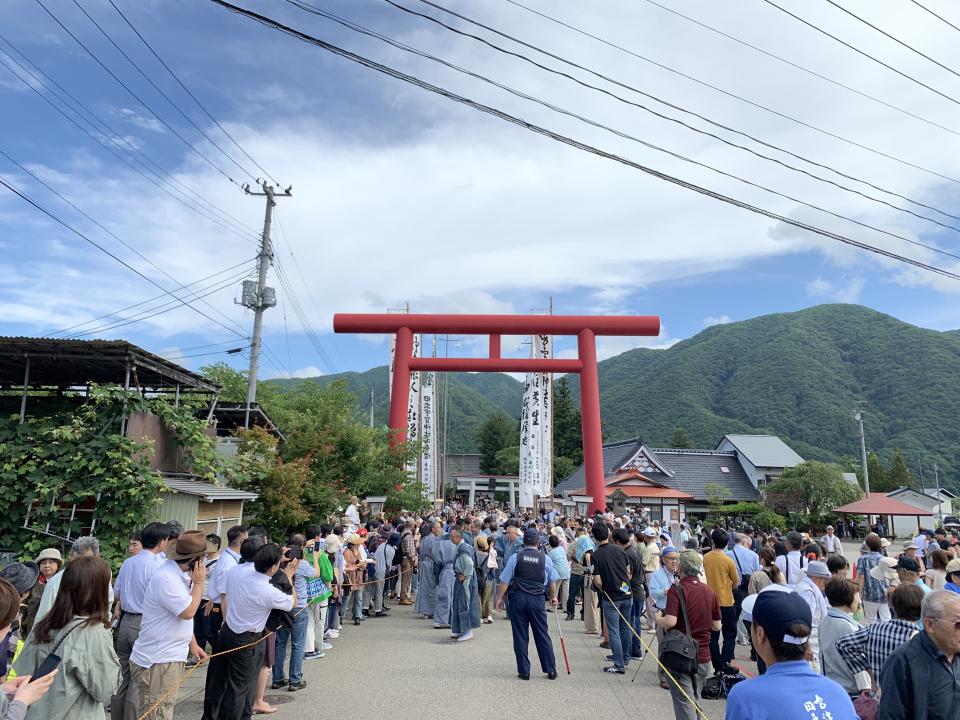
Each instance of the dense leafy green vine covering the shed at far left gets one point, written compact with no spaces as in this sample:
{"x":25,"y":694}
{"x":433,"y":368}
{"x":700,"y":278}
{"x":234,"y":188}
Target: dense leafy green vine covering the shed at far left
{"x":52,"y":462}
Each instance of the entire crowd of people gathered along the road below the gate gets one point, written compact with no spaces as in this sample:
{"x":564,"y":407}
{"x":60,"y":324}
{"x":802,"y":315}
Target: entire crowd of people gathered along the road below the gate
{"x":879,"y":639}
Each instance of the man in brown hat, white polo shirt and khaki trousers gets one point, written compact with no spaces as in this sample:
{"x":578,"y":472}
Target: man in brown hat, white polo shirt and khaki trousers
{"x":166,"y":636}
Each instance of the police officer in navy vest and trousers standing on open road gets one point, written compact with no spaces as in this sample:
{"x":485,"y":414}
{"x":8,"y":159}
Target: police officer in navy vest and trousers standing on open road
{"x":526,"y":577}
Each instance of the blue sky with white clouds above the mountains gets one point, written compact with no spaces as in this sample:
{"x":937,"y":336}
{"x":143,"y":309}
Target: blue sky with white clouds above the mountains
{"x":402,"y":196}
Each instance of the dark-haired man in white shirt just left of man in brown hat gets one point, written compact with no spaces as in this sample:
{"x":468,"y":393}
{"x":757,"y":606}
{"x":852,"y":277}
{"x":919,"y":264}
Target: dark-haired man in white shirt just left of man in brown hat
{"x":132,"y":581}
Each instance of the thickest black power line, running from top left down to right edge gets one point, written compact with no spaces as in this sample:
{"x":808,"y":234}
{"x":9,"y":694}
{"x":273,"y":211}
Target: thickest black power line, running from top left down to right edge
{"x":506,"y":117}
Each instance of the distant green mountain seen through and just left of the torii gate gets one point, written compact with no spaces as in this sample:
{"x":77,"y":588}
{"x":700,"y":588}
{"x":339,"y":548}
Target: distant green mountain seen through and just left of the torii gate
{"x":472,"y":396}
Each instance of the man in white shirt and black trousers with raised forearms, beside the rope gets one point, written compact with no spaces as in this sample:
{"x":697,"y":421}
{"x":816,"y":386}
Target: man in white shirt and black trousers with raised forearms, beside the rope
{"x":247,"y":600}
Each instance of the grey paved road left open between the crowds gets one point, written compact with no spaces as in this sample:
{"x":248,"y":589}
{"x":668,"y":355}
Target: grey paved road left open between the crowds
{"x":402,"y":666}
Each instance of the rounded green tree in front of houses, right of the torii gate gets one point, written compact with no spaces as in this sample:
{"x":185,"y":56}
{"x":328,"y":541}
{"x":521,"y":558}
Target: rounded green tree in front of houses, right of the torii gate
{"x":809,"y":492}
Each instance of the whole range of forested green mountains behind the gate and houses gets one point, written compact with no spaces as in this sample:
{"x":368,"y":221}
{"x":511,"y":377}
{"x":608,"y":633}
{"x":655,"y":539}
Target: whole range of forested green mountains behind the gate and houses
{"x":797,"y":375}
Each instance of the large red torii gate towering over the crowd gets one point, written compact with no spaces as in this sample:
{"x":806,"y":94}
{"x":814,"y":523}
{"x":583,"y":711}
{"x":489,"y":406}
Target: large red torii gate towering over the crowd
{"x":585,"y":327}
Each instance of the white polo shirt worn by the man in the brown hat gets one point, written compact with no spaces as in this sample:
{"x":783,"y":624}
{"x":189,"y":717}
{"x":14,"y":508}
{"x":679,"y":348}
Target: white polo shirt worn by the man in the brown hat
{"x":164,"y":637}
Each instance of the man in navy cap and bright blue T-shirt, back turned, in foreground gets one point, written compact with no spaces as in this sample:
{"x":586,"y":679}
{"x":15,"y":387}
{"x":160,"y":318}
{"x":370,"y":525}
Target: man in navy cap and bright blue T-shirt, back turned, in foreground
{"x":790,"y":689}
